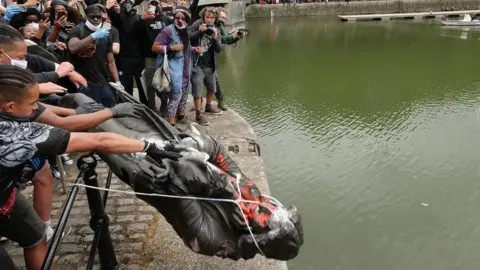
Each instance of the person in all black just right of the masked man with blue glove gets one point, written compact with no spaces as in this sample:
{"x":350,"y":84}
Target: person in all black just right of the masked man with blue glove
{"x":129,"y":61}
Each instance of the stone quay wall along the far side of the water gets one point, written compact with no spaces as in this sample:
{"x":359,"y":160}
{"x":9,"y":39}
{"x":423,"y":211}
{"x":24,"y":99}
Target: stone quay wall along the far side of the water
{"x":359,"y":7}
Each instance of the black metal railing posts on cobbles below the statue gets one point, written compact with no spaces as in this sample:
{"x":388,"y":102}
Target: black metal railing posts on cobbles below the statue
{"x":99,"y":221}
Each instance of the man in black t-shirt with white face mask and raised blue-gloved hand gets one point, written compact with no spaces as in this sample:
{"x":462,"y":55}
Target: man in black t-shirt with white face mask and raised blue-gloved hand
{"x":91,"y":46}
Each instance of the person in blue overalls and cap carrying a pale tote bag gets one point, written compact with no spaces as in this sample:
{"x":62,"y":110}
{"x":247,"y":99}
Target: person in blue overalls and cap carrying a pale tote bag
{"x":175,"y":42}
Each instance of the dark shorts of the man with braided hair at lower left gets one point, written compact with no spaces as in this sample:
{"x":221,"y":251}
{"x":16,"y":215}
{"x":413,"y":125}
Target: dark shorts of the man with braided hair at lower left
{"x":24,"y":226}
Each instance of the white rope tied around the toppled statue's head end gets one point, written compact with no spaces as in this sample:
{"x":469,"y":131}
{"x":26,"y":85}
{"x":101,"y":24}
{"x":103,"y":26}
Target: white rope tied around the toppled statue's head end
{"x":237,"y":201}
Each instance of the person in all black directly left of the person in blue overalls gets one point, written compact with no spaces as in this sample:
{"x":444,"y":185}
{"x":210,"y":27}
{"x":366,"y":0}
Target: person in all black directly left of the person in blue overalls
{"x":146,"y":30}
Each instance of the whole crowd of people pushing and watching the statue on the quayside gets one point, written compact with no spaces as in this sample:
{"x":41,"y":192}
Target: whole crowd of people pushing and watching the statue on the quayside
{"x":51,"y":48}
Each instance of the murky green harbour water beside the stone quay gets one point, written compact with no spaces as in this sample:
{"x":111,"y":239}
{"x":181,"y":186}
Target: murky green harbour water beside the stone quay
{"x":372,"y":130}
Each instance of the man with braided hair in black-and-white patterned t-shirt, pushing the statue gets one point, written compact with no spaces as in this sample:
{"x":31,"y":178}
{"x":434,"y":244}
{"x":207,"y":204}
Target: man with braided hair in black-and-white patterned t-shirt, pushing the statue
{"x":22,"y":140}
